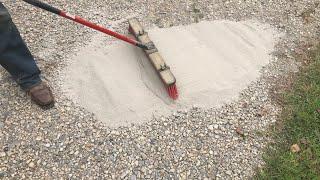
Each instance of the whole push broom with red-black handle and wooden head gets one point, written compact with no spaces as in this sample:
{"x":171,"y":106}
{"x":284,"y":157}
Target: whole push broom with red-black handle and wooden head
{"x":141,"y":40}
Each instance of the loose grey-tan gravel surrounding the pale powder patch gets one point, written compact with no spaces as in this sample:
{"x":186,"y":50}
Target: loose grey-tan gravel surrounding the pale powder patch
{"x":218,"y":143}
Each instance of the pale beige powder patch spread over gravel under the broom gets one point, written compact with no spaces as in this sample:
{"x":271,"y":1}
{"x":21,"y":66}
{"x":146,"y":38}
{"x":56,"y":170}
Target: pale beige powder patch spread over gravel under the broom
{"x":212,"y":62}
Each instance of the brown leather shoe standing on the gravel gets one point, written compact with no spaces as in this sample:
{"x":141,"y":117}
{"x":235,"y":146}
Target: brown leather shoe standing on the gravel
{"x":42,"y":95}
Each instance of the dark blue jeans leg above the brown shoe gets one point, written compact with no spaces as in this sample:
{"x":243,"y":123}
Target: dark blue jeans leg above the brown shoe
{"x":15,"y":57}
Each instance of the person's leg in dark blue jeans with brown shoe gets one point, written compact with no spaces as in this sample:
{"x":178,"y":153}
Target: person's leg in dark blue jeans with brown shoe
{"x":16,"y":58}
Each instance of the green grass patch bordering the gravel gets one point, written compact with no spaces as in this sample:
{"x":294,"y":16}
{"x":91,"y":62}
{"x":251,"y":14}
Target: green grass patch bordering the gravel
{"x":300,"y":125}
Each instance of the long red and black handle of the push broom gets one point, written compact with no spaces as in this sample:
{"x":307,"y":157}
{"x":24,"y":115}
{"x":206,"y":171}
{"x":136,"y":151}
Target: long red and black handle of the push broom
{"x":82,"y":21}
